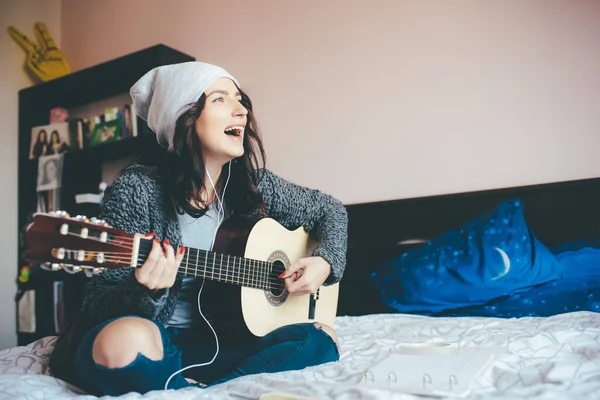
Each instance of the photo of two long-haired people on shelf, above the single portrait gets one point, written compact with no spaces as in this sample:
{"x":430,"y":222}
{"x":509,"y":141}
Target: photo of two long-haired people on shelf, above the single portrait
{"x":50,"y":139}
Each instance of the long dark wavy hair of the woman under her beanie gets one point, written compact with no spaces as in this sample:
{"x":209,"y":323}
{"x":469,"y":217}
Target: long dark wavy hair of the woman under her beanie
{"x":183,"y":172}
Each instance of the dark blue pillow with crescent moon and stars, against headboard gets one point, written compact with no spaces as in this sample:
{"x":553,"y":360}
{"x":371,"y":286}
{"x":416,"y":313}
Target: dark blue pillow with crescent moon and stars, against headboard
{"x":493,"y":255}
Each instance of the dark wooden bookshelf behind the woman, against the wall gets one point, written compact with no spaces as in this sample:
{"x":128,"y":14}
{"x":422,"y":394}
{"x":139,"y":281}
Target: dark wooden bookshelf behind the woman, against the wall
{"x":82,"y":169}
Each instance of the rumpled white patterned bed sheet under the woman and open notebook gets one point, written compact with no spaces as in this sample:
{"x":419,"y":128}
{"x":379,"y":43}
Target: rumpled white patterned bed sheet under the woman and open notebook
{"x":547,"y":358}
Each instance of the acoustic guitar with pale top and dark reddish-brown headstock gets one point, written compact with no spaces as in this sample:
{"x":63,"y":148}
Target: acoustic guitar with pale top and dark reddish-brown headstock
{"x":242,"y":271}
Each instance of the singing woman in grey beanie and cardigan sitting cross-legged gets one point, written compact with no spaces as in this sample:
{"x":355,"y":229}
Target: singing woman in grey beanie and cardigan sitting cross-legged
{"x":138,"y":329}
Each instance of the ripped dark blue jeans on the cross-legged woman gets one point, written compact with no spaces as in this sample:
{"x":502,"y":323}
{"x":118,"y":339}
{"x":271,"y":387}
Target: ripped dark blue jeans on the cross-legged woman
{"x":287,"y":348}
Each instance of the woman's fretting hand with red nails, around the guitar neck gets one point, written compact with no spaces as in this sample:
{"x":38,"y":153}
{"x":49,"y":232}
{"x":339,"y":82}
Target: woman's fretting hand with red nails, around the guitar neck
{"x":161,"y":266}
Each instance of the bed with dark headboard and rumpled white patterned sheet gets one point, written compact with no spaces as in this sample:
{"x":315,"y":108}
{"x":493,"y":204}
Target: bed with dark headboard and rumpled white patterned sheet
{"x":550,"y":354}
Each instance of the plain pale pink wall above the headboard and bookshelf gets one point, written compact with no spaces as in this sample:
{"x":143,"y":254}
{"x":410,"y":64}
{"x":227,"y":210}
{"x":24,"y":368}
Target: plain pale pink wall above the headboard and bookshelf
{"x":375,"y":100}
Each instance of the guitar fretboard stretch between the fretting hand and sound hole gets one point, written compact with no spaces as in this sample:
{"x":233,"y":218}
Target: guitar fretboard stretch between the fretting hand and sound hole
{"x":227,"y":268}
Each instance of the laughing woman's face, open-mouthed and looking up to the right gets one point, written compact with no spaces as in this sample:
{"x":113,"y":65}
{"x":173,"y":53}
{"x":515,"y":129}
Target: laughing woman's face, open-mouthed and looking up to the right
{"x":221,"y":124}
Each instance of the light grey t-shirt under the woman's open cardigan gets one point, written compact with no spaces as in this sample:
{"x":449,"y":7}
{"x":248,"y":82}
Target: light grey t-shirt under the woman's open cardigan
{"x":197,"y":233}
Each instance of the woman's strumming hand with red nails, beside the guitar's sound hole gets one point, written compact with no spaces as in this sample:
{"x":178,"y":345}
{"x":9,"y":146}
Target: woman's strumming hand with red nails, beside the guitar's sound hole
{"x":306,"y":275}
